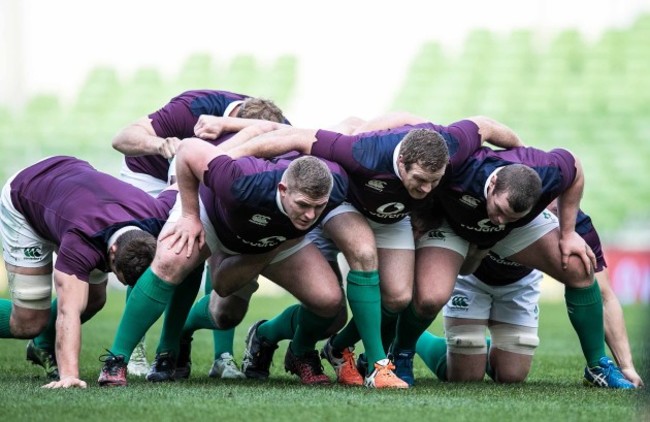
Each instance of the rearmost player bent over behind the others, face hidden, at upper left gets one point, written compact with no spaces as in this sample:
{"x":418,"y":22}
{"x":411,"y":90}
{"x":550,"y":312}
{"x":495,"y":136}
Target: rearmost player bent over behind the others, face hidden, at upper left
{"x":149,"y":146}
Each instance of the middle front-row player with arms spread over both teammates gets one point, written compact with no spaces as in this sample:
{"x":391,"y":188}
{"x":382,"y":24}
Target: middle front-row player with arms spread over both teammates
{"x":389,"y":170}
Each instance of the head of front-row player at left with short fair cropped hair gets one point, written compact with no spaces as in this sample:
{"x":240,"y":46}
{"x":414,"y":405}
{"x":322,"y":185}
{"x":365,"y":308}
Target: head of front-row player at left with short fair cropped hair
{"x":304,"y":190}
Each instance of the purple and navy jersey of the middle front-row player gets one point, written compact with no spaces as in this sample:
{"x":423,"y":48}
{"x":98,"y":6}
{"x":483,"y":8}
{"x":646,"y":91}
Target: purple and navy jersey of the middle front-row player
{"x":370,"y":160}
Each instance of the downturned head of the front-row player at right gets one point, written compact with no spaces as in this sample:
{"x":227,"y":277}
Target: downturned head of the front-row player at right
{"x":512,"y":193}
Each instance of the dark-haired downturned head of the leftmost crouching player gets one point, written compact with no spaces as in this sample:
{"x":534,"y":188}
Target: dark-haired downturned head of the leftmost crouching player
{"x":131,"y":254}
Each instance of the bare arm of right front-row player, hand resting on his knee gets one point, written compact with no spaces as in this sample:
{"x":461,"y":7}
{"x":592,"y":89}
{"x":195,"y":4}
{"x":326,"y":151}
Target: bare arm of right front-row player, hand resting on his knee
{"x":568,"y":204}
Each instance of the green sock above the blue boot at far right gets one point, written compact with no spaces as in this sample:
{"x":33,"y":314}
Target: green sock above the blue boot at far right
{"x":585,"y":308}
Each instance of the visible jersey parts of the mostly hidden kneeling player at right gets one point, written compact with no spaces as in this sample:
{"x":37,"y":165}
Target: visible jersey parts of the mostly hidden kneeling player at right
{"x":497,"y":271}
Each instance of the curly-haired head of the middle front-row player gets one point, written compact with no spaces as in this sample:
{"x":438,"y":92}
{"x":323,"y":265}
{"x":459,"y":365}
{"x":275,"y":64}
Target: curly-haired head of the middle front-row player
{"x":422,"y":161}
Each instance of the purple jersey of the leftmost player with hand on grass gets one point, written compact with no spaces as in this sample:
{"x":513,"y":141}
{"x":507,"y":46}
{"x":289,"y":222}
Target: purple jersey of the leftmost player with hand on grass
{"x":71,"y":204}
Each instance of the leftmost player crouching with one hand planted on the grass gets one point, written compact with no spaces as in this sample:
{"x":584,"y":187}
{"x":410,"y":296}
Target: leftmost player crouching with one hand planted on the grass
{"x":96,"y":224}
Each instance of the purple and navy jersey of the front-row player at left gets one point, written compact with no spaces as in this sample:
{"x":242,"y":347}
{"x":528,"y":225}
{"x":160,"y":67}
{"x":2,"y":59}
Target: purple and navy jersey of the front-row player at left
{"x":242,"y":201}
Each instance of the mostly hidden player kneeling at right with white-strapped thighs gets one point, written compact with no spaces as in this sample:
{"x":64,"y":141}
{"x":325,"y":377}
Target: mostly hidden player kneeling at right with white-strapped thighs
{"x":503,"y":296}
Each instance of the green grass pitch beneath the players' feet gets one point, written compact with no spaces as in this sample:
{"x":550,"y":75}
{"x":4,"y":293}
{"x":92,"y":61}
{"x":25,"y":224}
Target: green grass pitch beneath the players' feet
{"x":553,"y":392}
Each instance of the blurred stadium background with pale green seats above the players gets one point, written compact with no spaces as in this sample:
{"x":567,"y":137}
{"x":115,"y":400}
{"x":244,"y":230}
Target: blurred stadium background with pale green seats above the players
{"x":572,"y":74}
